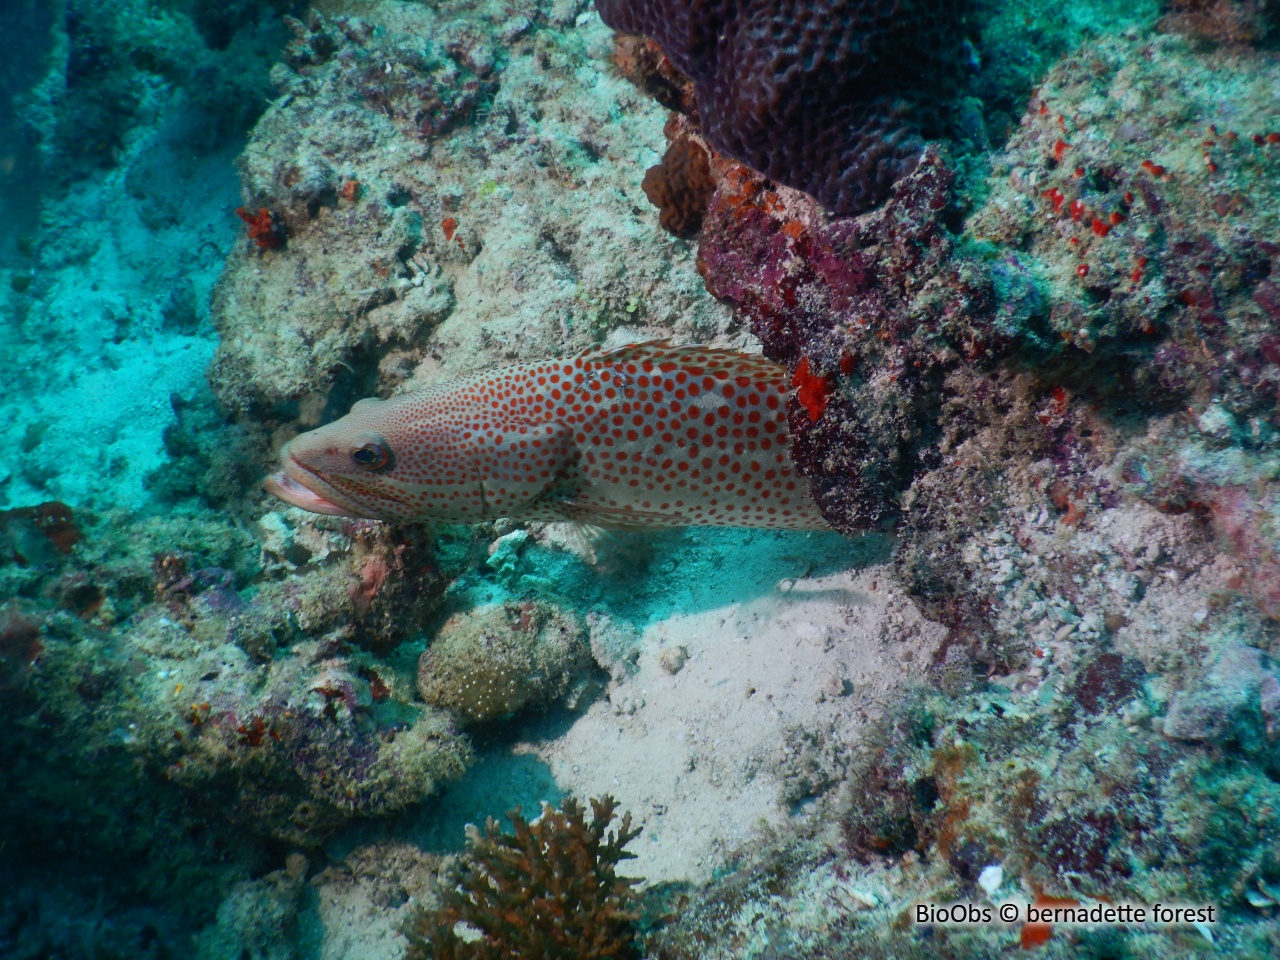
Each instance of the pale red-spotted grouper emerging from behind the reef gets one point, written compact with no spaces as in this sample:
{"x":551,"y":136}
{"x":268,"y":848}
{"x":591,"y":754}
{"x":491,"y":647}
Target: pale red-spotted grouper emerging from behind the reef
{"x":650,"y":435}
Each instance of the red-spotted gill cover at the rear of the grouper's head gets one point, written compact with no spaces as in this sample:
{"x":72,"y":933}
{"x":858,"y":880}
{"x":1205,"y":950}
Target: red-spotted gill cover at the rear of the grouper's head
{"x":516,"y":464}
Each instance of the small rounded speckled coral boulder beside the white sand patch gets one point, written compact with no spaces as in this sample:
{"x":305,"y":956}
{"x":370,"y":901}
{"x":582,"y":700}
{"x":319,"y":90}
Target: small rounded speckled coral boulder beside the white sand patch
{"x":495,"y":661}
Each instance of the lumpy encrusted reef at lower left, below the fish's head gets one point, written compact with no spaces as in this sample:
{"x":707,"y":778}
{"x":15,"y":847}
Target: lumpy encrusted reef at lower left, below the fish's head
{"x":258,"y":702}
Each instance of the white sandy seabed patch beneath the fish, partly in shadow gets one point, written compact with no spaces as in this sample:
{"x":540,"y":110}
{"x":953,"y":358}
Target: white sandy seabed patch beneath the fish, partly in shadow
{"x":744,"y":668}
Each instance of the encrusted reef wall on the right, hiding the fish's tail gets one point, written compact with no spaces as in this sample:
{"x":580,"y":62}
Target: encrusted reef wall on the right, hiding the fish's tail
{"x":1081,"y":376}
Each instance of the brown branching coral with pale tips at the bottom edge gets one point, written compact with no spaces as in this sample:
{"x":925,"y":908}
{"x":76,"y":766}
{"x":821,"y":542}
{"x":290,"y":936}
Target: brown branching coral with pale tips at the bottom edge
{"x":550,"y":890}
